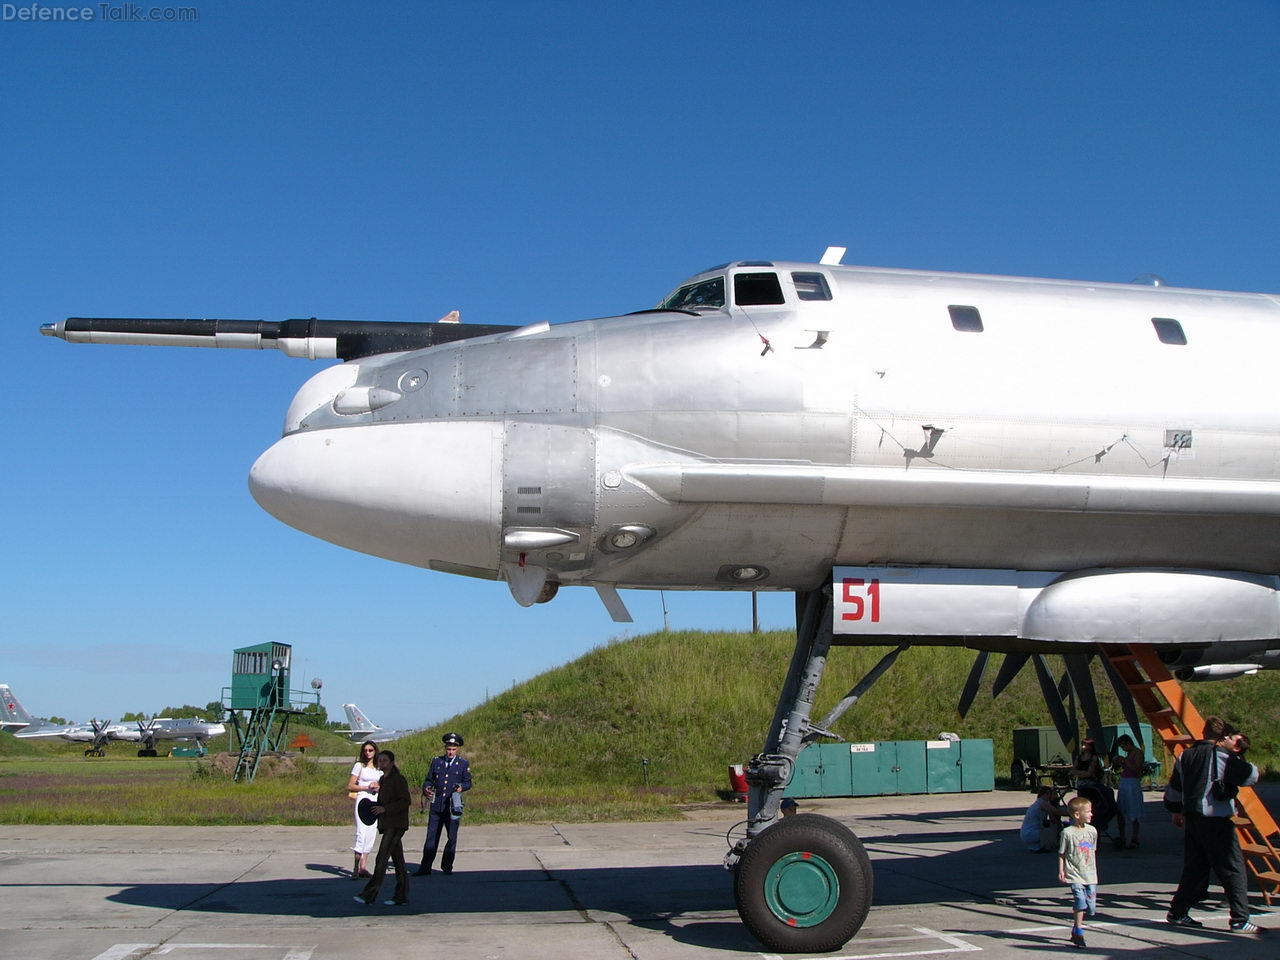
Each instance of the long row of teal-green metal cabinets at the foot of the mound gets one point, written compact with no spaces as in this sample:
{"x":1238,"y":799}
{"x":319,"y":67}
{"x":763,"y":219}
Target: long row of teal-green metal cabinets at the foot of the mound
{"x":889,"y":767}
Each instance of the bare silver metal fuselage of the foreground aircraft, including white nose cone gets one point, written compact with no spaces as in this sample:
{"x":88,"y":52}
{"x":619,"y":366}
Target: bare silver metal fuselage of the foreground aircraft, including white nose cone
{"x":1063,"y":436}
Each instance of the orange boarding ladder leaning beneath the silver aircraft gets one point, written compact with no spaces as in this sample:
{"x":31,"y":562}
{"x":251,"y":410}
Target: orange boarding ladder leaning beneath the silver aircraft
{"x":1180,"y":725}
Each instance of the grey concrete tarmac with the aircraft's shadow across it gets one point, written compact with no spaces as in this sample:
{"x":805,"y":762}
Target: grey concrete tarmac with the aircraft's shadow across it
{"x":952,"y":880}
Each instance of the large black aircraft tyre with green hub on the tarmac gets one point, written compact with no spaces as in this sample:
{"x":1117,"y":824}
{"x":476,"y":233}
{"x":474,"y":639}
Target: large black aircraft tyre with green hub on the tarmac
{"x":804,"y":885}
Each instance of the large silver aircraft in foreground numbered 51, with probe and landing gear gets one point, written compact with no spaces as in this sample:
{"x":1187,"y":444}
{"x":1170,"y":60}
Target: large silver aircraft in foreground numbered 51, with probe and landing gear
{"x":1022,"y":467}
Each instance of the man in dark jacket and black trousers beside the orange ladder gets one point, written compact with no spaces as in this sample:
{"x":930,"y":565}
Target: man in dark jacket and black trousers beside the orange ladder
{"x":1203,"y":794}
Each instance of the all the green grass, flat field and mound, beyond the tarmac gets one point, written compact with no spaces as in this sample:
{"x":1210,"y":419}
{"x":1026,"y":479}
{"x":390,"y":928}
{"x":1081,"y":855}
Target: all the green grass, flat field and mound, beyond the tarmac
{"x":568,"y":746}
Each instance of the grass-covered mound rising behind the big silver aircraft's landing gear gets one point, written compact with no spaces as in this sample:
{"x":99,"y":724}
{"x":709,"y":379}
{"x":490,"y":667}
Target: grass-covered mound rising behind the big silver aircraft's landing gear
{"x":570,"y":743}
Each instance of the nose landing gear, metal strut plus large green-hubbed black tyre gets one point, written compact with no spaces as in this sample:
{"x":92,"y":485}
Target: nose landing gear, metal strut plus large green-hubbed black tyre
{"x":803,"y":884}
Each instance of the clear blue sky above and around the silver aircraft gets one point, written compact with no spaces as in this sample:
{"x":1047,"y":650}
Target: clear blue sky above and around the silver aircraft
{"x":519,"y":163}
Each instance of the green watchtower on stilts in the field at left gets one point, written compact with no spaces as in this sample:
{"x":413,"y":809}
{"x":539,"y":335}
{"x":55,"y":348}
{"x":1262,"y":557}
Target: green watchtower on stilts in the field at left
{"x":260,"y":689}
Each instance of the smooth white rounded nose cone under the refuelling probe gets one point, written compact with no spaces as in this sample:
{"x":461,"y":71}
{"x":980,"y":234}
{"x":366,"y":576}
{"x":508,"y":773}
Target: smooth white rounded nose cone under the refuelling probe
{"x":414,"y":493}
